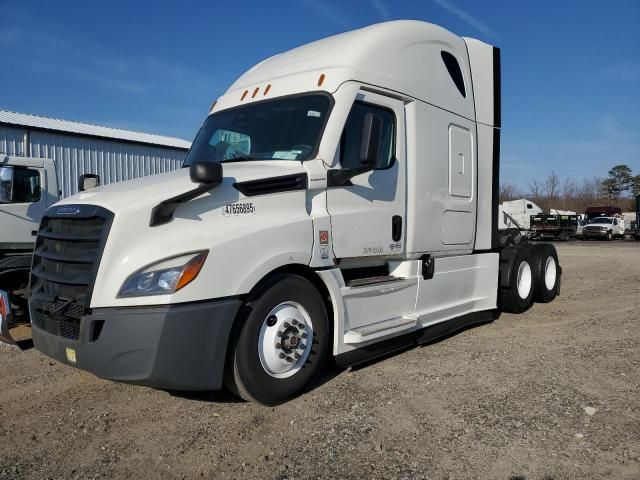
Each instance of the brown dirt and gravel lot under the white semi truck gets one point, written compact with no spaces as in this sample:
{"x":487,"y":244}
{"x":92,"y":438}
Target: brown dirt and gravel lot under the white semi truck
{"x":551,"y":394}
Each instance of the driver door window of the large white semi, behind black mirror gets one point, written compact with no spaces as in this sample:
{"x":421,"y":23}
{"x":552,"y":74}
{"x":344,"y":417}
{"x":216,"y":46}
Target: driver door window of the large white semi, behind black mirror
{"x":352,"y":136}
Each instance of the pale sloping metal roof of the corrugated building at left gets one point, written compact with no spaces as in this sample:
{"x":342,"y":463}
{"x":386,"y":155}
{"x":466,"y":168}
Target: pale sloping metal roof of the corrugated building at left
{"x":67,"y":126}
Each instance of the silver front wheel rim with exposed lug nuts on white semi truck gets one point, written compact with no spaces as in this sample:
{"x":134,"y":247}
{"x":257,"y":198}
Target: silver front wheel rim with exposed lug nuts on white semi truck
{"x":285,"y":341}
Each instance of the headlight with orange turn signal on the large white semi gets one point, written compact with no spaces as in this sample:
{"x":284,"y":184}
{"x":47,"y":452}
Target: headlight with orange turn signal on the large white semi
{"x":166,"y":276}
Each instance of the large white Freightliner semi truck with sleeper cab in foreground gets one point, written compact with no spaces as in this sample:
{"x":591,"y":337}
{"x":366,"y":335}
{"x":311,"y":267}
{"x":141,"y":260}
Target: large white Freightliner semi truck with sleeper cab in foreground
{"x":340,"y":200}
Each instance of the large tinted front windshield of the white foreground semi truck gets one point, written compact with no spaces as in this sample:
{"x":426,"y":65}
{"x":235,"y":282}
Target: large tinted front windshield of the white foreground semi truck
{"x":282,"y":129}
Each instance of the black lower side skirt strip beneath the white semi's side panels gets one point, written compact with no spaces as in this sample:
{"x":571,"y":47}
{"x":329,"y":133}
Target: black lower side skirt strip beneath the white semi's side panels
{"x":419,"y":337}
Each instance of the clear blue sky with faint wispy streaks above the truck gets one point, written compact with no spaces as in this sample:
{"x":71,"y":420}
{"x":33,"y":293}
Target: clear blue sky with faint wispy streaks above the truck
{"x":571,"y":69}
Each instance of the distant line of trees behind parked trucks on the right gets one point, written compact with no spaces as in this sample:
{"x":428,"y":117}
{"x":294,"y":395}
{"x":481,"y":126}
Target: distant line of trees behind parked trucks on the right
{"x":618,"y":189}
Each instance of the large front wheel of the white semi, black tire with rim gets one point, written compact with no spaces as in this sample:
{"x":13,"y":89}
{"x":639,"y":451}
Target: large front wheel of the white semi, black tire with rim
{"x":261,"y":367}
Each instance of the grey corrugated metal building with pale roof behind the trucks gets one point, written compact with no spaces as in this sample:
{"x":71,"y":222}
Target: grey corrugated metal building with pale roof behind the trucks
{"x":79,"y":148}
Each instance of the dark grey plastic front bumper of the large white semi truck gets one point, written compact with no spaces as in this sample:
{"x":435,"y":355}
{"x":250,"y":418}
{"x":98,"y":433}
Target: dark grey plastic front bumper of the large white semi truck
{"x":175,"y":347}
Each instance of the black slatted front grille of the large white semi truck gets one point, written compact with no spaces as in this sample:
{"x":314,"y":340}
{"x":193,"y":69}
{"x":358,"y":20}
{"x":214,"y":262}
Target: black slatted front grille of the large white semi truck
{"x":65,"y":262}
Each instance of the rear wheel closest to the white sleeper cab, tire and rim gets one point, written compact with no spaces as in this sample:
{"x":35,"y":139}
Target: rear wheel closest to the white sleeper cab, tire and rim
{"x":518,"y":296}
